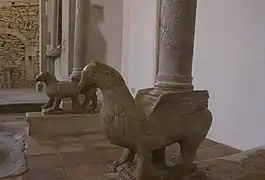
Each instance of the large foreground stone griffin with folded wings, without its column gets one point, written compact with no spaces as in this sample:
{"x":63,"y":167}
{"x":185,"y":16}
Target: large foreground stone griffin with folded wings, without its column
{"x":146,"y":125}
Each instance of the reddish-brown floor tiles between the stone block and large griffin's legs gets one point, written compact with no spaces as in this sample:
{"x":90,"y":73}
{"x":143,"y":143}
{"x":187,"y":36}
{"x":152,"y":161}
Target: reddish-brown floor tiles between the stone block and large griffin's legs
{"x":71,"y":158}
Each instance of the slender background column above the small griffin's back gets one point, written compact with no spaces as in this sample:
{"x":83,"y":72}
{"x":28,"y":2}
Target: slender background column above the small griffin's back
{"x":81,"y":36}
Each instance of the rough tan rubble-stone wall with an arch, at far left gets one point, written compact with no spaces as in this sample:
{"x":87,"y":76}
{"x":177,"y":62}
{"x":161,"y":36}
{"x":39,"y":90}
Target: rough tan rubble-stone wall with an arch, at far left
{"x":19,"y":41}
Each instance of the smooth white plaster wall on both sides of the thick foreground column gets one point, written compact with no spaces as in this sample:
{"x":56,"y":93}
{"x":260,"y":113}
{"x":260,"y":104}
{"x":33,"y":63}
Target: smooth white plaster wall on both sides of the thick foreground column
{"x":228,"y":61}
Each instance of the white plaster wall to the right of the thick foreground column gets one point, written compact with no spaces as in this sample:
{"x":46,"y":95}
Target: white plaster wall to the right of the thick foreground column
{"x":229,"y":62}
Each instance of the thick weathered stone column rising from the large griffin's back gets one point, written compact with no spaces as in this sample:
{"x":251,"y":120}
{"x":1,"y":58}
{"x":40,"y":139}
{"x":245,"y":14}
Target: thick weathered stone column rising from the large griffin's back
{"x":177,"y":26}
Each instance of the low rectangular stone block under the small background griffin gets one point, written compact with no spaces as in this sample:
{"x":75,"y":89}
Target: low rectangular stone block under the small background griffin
{"x":48,"y":126}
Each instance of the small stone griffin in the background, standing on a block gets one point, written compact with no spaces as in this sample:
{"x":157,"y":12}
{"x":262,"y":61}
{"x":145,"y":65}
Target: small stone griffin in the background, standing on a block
{"x":57,"y":90}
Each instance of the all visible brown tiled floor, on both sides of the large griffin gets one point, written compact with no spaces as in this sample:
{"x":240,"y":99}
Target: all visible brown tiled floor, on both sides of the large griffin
{"x":87,"y":157}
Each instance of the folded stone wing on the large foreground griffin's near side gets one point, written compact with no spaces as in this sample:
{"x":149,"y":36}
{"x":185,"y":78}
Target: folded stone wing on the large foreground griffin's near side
{"x":179,"y":103}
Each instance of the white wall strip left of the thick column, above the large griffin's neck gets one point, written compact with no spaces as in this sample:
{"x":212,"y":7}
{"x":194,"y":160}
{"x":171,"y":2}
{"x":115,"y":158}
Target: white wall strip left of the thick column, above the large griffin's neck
{"x":139,"y":43}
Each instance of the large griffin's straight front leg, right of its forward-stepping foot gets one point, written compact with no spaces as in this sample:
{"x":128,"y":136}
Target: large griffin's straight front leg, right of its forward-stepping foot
{"x":143,"y":167}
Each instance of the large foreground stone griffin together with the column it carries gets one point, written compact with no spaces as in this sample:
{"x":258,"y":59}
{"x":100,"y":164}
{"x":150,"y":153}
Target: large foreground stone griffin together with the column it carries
{"x":140,"y":125}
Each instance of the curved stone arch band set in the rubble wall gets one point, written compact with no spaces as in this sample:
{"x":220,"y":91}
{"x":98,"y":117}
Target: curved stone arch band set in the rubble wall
{"x":19,"y":35}
